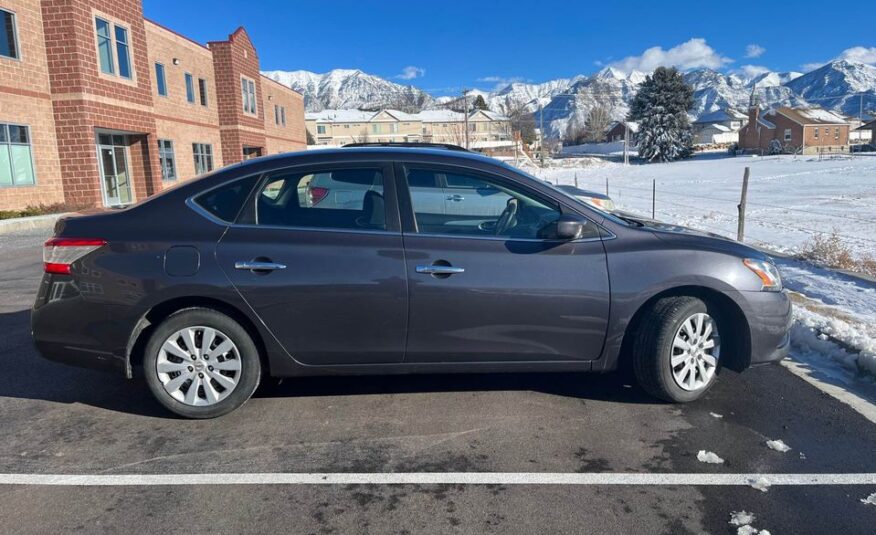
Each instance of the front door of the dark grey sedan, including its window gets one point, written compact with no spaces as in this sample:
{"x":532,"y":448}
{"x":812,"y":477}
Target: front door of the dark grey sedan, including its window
{"x":493,"y":285}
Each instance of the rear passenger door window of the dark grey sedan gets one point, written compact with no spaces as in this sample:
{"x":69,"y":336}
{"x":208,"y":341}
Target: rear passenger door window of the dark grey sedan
{"x":338,"y":198}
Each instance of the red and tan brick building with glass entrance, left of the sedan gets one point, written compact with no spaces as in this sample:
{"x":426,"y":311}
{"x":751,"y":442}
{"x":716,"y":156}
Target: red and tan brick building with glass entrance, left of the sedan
{"x":99,"y":106}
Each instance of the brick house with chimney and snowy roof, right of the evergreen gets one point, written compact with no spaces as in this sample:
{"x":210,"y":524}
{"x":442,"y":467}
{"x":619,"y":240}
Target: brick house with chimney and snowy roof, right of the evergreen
{"x":797,"y":130}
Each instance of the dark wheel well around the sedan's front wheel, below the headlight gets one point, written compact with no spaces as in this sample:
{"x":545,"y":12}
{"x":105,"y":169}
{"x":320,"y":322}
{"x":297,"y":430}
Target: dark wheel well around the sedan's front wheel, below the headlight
{"x":735,"y":350}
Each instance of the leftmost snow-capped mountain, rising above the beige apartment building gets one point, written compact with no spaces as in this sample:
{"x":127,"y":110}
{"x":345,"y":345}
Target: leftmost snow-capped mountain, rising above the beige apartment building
{"x":350,"y":88}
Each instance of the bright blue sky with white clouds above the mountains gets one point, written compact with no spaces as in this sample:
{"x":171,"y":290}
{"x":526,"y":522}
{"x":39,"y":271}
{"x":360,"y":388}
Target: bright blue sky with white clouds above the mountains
{"x":443,"y":46}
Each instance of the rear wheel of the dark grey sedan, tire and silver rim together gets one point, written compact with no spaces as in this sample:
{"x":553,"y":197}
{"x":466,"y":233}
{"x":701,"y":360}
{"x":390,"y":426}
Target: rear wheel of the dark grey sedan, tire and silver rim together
{"x":199,"y":363}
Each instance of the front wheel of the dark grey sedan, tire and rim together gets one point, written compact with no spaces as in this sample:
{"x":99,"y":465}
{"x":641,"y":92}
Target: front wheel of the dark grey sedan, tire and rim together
{"x":677,"y":351}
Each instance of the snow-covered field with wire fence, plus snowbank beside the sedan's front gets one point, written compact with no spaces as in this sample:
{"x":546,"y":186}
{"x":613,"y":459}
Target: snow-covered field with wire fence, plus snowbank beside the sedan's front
{"x":790,"y":199}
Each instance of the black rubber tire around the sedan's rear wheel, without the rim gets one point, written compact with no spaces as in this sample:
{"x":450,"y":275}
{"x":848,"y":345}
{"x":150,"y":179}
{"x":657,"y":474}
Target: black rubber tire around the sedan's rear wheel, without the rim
{"x":250,"y":363}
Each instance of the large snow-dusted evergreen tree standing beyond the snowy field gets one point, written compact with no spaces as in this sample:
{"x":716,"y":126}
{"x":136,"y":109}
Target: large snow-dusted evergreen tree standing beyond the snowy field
{"x":660,"y":107}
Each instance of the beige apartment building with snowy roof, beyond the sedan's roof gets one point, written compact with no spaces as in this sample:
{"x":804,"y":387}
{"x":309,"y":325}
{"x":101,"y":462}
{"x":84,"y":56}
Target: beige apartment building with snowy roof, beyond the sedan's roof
{"x":486,"y":129}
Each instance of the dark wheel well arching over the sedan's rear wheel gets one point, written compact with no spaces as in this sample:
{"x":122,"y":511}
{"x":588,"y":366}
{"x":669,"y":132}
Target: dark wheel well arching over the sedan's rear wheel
{"x":161,"y":311}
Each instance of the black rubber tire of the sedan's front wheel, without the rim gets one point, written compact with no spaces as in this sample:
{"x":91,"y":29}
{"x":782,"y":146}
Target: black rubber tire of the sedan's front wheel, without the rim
{"x":652,"y":347}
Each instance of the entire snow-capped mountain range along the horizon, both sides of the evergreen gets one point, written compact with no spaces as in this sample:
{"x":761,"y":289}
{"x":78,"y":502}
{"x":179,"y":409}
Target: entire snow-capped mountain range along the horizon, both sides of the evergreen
{"x":841,"y":85}
